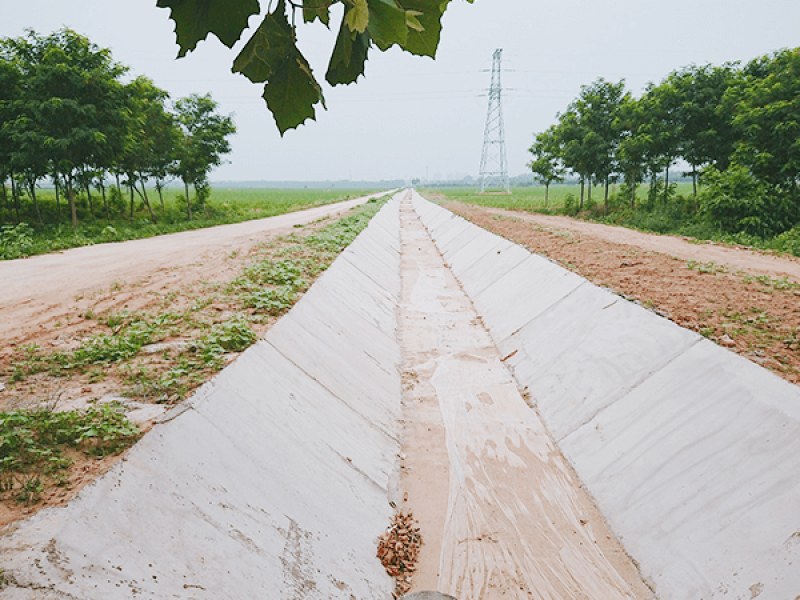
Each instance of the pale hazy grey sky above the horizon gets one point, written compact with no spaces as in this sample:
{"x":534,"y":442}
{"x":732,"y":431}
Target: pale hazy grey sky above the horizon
{"x":414,"y":117}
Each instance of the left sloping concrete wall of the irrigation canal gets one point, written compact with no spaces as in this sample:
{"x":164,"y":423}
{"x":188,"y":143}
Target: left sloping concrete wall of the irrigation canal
{"x":273,"y":481}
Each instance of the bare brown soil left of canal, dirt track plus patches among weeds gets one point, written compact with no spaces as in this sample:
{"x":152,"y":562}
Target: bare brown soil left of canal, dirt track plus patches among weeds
{"x":52,"y":302}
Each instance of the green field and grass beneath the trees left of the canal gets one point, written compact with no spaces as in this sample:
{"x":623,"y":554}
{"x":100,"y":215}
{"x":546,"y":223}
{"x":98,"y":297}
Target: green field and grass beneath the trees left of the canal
{"x":225,"y":205}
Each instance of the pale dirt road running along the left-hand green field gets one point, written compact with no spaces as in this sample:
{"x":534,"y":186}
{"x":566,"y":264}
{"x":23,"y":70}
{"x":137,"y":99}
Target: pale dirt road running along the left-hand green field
{"x":37,"y":292}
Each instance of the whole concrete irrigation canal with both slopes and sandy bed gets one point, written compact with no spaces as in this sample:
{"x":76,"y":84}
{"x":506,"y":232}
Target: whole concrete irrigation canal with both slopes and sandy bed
{"x":553,"y":440}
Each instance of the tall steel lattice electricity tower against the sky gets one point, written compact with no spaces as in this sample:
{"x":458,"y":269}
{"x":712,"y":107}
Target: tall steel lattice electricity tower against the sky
{"x":494,"y":172}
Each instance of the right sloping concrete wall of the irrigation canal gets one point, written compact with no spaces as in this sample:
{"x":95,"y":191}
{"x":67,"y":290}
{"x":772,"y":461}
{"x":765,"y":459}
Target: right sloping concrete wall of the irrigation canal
{"x":691,"y":452}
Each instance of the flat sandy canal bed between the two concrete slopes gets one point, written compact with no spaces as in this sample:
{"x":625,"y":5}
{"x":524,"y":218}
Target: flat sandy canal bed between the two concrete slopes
{"x":501,"y":513}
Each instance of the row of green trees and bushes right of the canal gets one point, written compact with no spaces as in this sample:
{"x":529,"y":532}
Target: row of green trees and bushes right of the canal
{"x":737,"y":128}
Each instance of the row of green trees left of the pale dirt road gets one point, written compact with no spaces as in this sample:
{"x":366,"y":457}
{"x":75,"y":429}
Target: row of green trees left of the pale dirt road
{"x":67,"y":117}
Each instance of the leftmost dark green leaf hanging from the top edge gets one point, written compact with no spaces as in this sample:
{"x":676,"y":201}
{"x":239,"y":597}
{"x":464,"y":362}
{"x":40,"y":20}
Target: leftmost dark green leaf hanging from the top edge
{"x":195,"y":19}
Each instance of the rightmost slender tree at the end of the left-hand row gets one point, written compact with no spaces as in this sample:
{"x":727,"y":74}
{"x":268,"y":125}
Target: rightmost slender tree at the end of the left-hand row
{"x":205,"y":141}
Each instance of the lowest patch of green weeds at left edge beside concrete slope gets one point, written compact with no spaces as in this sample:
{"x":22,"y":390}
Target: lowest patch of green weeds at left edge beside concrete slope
{"x":32,"y":444}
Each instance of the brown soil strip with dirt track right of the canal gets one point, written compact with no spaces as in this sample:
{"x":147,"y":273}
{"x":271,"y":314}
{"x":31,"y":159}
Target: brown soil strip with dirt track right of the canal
{"x":745,"y":300}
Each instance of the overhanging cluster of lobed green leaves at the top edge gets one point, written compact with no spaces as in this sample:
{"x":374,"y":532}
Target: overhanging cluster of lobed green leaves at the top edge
{"x":271,"y":55}
